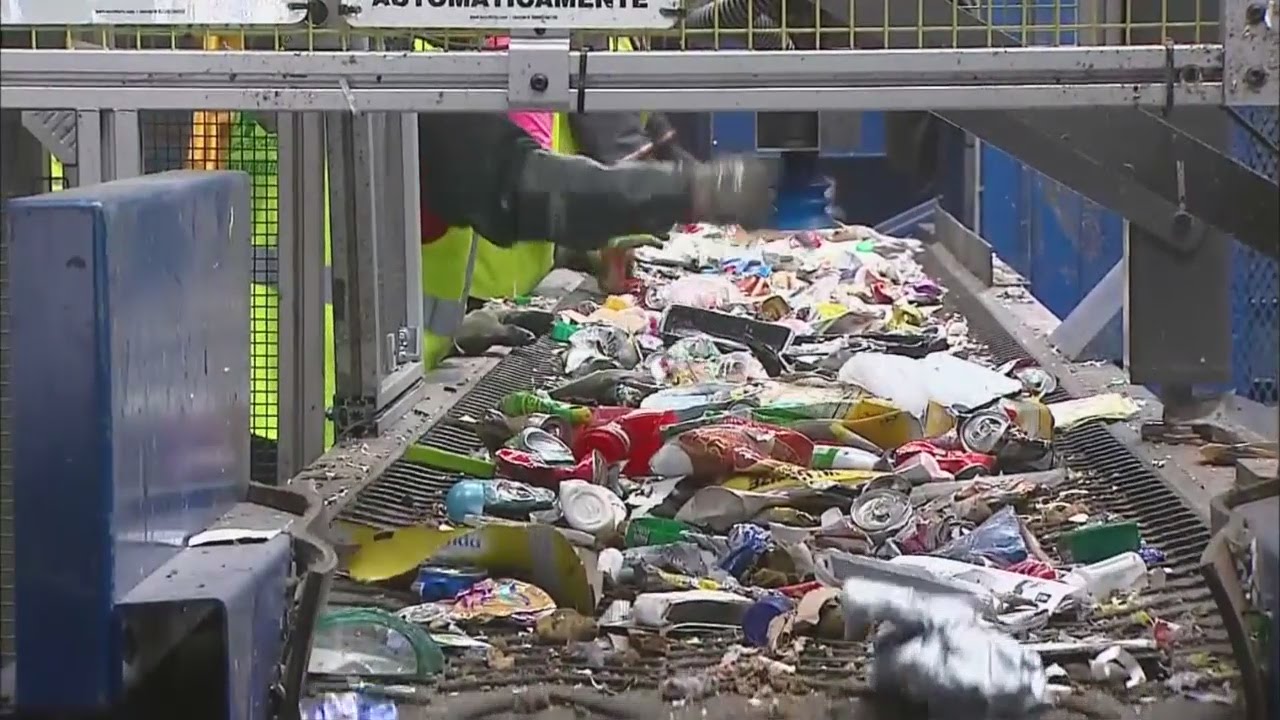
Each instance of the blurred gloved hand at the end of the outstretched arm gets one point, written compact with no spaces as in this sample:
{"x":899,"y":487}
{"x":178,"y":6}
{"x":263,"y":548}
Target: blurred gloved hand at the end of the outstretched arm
{"x":733,"y":190}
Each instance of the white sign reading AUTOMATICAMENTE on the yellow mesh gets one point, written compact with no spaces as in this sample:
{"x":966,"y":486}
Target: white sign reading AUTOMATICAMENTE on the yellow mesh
{"x":516,"y":15}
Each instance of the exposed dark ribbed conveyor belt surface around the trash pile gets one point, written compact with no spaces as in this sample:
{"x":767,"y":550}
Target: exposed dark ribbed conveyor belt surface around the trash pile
{"x":1116,"y":480}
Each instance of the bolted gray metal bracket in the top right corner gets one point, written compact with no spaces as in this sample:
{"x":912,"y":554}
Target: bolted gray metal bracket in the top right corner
{"x":1251,"y":48}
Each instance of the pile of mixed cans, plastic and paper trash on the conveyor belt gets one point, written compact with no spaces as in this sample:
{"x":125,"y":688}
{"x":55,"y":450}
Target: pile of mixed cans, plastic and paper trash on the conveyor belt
{"x":785,"y":440}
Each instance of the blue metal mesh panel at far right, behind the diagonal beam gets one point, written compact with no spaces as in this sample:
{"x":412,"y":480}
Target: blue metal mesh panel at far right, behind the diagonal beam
{"x":1256,"y":282}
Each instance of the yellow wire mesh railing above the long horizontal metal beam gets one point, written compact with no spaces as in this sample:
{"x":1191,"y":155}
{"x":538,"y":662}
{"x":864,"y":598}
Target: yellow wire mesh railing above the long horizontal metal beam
{"x":844,"y":24}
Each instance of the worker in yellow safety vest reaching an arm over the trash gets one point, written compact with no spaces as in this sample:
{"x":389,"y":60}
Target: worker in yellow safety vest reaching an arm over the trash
{"x":518,"y":192}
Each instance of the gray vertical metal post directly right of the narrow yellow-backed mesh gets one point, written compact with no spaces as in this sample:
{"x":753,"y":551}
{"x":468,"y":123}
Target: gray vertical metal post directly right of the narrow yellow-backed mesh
{"x":303,"y":291}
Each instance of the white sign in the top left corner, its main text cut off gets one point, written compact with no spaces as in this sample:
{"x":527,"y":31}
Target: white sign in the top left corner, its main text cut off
{"x":149,"y":13}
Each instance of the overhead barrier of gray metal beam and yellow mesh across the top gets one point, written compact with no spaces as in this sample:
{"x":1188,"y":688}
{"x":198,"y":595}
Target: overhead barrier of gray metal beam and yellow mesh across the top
{"x":685,"y":56}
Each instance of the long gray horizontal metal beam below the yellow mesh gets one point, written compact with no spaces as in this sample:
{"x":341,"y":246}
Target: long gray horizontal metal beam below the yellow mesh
{"x":694,"y":81}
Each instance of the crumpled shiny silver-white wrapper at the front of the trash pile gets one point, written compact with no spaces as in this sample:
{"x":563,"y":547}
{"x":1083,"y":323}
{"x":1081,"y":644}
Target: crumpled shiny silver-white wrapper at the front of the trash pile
{"x":935,"y":650}
